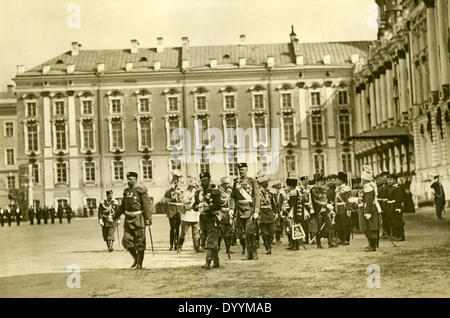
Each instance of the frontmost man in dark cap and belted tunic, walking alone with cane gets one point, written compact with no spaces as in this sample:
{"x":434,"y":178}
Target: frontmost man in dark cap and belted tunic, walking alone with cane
{"x":137,"y":208}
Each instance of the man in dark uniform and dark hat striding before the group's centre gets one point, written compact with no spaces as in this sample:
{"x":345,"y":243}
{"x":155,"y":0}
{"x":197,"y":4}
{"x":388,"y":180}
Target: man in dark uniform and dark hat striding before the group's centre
{"x":207,"y":202}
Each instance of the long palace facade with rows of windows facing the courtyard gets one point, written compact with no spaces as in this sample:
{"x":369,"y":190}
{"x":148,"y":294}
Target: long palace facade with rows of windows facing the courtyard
{"x":86,"y":117}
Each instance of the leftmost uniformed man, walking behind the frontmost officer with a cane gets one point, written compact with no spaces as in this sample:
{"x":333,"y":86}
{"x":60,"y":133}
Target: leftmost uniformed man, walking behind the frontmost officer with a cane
{"x":106,"y":211}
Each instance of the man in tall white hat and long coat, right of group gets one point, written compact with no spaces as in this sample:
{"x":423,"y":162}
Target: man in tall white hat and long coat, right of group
{"x":371,"y":219}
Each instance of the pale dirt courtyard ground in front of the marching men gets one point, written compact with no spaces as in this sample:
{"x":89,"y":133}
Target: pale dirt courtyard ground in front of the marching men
{"x":34,"y":259}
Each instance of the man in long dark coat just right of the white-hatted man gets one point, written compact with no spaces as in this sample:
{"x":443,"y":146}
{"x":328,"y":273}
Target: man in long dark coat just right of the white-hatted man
{"x":396,"y":198}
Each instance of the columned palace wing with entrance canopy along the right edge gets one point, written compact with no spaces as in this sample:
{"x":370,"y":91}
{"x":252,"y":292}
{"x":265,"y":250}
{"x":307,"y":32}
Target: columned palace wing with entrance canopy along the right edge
{"x":402,"y":95}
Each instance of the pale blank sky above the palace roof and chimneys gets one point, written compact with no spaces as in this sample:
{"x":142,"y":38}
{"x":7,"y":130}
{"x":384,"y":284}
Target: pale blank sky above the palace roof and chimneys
{"x":33,"y":31}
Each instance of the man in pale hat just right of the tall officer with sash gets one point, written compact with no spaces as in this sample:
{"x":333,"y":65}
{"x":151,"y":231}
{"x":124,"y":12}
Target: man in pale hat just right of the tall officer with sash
{"x":267,"y":225}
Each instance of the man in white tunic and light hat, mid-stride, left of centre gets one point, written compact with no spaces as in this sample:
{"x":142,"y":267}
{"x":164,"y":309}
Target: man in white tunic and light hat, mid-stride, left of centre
{"x":190,"y":218}
